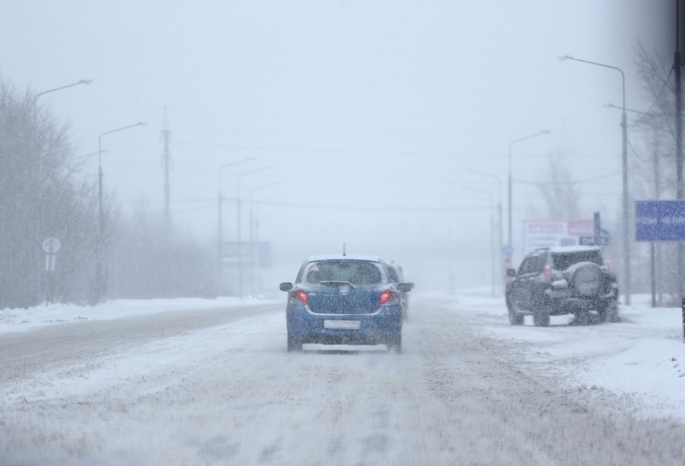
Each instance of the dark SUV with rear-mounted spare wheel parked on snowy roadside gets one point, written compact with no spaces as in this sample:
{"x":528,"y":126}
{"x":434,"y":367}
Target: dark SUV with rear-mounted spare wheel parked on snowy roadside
{"x":563,"y":280}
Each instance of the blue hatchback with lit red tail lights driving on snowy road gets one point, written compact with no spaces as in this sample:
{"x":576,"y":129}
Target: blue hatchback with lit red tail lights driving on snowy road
{"x":344,"y":299}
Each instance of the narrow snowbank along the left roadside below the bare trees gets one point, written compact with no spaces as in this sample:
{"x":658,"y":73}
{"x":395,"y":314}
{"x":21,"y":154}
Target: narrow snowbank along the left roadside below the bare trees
{"x":18,"y":320}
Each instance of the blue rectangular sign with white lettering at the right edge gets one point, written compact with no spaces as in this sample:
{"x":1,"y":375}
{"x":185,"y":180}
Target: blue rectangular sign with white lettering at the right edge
{"x":660,"y":220}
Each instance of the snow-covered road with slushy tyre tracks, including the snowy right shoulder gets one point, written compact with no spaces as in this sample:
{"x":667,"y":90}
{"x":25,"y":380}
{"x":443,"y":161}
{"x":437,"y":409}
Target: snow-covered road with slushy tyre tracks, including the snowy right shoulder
{"x":208,"y":386}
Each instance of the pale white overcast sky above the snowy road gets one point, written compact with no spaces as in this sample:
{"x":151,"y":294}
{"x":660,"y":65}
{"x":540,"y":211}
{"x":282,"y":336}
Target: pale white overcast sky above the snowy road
{"x":378,"y":105}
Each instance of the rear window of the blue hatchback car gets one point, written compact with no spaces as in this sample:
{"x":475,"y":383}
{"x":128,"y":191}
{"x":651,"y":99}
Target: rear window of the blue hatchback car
{"x":352,"y":271}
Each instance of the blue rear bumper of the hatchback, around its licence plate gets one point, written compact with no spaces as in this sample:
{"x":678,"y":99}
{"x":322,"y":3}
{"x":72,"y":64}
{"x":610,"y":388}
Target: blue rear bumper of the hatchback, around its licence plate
{"x":374,"y":328}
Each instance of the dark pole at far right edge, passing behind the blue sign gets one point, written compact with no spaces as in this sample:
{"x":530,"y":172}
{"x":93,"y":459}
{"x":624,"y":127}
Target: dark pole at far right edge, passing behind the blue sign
{"x":680,"y":190}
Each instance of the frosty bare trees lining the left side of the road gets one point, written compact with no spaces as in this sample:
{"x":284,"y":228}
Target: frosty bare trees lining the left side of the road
{"x":42,"y":195}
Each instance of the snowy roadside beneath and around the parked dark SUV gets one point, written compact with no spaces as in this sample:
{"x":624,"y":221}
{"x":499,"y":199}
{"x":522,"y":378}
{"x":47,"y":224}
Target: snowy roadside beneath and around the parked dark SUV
{"x":642,"y":357}
